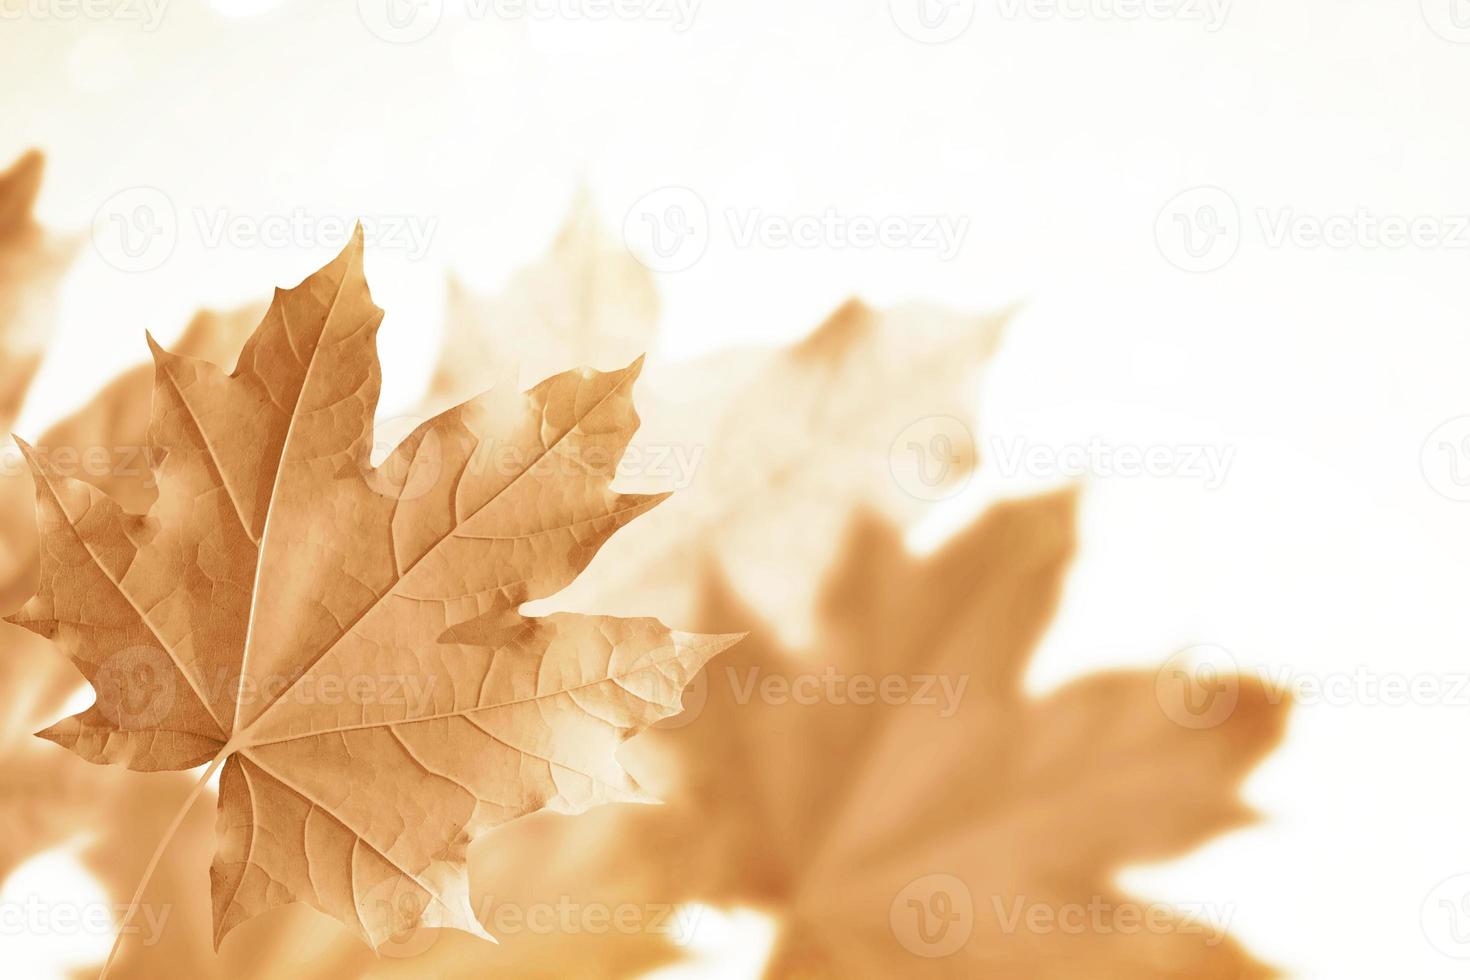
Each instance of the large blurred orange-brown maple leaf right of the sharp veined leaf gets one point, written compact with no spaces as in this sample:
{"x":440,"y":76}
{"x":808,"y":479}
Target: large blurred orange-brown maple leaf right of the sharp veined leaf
{"x":914,"y":832}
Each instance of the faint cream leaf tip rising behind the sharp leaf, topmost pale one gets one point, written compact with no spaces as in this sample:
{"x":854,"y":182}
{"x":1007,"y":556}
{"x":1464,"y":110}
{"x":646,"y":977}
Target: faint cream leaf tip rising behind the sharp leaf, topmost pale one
{"x":587,"y":305}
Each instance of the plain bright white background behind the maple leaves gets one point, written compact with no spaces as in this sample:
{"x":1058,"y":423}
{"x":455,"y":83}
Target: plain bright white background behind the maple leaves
{"x":1328,"y":550}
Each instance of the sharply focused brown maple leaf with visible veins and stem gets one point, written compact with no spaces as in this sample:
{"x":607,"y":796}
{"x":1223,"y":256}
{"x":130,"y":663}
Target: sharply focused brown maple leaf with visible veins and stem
{"x":346,"y":640}
